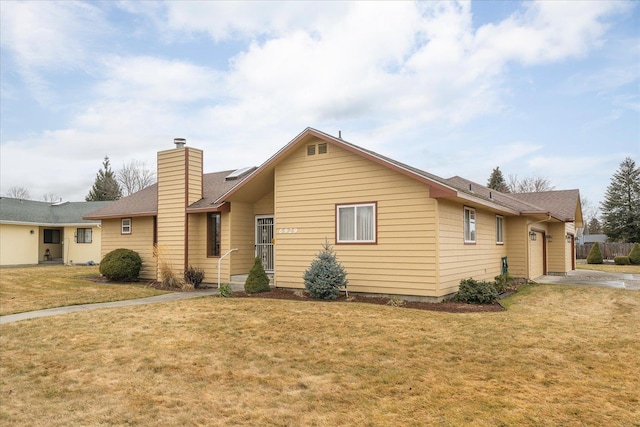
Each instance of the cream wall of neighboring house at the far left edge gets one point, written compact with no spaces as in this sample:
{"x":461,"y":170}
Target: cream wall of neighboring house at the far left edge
{"x":18,"y":246}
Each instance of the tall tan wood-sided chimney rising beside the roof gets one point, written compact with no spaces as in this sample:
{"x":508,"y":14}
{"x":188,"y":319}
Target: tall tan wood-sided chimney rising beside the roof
{"x":179,"y":184}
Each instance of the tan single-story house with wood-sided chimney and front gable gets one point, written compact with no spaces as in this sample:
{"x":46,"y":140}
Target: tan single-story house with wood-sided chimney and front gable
{"x":396,"y":229}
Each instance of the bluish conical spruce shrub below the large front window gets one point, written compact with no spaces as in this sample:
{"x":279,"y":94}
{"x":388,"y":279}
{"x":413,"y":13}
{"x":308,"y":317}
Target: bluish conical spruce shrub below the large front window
{"x":324,"y":278}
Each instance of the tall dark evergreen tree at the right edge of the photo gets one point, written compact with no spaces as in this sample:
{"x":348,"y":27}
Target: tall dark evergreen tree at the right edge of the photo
{"x":621,"y":205}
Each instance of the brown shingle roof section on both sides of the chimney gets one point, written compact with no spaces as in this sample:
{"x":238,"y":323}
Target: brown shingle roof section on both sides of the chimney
{"x":145,"y":202}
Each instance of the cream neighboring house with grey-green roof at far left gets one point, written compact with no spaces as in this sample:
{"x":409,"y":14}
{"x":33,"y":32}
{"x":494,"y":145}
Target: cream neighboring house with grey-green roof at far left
{"x":33,"y":232}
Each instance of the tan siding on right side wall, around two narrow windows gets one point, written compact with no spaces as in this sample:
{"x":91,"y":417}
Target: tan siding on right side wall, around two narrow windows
{"x":458,"y":261}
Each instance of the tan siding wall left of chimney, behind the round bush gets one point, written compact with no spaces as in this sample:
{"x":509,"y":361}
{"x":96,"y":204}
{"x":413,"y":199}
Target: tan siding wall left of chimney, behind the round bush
{"x":140,"y":240}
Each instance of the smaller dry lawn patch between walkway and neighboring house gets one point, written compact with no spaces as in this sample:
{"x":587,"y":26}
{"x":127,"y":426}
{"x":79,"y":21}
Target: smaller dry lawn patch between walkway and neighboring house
{"x":38,"y":287}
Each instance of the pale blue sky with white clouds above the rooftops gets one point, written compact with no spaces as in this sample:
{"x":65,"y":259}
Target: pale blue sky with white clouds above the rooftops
{"x":546,"y":89}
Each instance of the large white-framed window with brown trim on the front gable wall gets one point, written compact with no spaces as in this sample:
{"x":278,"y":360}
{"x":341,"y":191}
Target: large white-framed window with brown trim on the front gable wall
{"x":356,"y":223}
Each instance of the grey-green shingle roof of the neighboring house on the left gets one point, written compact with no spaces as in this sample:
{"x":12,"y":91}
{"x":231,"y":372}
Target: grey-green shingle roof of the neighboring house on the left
{"x":17,"y":211}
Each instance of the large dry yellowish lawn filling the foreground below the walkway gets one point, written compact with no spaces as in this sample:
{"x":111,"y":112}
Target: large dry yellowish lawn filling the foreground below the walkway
{"x":558,"y":356}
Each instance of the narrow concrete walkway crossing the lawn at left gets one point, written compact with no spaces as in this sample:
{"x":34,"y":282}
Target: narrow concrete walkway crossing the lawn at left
{"x":114,"y":304}
